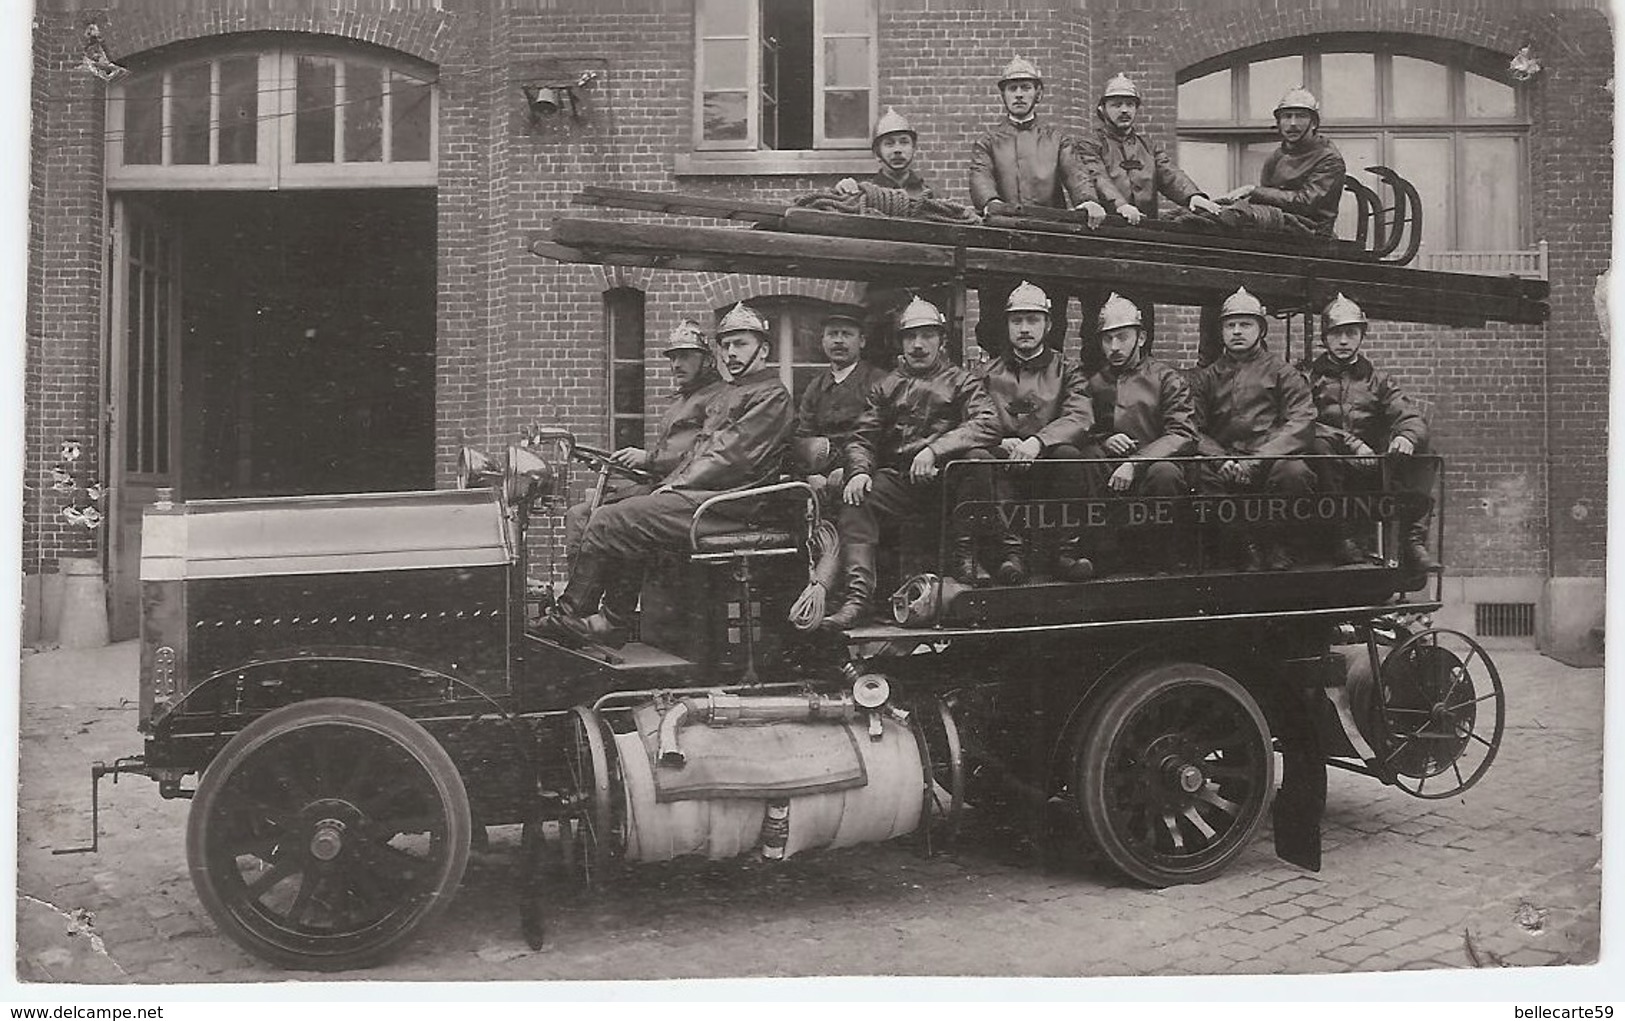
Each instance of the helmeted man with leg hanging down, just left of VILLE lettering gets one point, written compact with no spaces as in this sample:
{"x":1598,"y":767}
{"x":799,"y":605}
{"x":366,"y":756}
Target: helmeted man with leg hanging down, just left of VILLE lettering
{"x":919,"y":417}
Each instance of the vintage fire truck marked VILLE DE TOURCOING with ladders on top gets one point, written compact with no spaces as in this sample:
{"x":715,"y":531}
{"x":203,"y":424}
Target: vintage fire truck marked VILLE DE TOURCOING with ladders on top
{"x":350,"y":689}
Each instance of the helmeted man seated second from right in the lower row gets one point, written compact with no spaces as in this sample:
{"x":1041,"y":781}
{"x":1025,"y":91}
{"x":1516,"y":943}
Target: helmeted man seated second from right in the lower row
{"x":1252,"y":404}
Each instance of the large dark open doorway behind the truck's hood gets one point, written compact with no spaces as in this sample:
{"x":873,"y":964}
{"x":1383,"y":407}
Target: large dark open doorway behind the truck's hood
{"x":267,"y":344}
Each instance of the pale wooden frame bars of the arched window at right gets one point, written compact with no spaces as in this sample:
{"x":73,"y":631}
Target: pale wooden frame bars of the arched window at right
{"x":1385,"y":126}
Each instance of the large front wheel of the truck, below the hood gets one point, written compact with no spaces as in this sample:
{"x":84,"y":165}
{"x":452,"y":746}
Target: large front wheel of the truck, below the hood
{"x":326,"y":833}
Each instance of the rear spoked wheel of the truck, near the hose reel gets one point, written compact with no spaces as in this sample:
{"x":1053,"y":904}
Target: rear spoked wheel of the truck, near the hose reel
{"x":1176,"y":771}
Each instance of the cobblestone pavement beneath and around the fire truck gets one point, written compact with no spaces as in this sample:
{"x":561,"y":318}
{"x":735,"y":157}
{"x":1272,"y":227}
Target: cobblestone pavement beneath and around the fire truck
{"x":1507,"y":875}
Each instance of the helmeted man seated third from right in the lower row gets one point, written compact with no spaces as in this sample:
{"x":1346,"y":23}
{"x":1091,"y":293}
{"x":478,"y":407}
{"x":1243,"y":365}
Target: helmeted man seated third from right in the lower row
{"x":1143,"y":415}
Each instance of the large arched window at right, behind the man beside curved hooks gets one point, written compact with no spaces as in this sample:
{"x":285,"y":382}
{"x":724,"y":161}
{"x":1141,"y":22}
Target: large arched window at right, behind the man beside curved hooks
{"x":1445,"y":118}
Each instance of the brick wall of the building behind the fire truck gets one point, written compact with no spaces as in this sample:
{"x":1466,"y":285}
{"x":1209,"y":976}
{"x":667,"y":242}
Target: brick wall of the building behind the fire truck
{"x":521,"y":339}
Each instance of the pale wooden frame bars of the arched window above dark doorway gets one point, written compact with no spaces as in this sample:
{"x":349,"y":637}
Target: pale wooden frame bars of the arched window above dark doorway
{"x":277,"y":119}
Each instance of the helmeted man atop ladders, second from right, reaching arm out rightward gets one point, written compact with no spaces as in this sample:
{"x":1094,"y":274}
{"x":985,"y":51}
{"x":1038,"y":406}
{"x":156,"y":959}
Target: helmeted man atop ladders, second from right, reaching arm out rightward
{"x":1130,"y":170}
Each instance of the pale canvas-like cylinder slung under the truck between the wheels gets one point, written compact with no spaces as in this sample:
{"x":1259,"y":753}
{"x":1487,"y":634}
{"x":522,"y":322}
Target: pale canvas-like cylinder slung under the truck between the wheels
{"x":886,"y":806}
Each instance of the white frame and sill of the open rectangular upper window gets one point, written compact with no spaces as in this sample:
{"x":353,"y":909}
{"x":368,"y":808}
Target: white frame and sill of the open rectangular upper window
{"x":721,"y":157}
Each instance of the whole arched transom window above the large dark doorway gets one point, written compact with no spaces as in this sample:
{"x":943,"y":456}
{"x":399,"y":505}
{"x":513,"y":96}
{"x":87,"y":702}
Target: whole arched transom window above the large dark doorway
{"x":251,"y":116}
